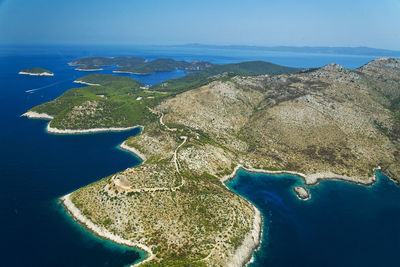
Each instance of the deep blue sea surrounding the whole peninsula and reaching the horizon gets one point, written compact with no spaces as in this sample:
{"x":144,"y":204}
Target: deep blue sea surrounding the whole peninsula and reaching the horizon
{"x":343,"y":224}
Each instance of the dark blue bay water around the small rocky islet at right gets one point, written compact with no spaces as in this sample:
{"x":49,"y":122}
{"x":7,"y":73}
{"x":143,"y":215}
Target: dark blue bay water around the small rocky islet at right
{"x":342,"y":225}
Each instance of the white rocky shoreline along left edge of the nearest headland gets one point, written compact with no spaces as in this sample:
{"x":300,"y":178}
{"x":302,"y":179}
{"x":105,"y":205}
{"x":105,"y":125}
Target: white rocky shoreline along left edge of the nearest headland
{"x":101,"y":232}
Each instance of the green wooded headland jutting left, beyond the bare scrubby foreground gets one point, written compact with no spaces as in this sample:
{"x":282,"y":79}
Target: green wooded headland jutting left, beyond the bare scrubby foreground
{"x":117,"y":102}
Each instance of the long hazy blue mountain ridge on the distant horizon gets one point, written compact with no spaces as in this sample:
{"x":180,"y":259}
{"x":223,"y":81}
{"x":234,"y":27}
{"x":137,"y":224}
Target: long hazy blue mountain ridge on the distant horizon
{"x":306,"y":49}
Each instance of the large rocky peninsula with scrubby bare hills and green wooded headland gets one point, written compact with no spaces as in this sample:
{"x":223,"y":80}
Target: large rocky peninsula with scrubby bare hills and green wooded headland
{"x":325,"y":123}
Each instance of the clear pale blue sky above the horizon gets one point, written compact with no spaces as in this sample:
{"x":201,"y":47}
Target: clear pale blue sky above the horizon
{"x":374,"y":23}
